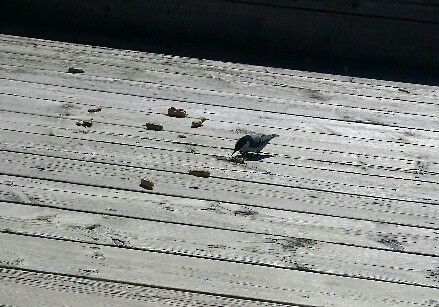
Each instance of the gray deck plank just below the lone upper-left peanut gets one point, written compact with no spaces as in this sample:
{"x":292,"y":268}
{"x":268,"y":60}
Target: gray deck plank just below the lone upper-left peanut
{"x":290,"y":104}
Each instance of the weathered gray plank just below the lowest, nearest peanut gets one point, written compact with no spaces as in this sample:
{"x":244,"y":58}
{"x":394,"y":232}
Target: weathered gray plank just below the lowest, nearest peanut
{"x":219,"y":215}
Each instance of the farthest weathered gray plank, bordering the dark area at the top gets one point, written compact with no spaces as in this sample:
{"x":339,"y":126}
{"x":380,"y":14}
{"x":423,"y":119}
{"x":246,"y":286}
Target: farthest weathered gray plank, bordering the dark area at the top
{"x":213,"y":69}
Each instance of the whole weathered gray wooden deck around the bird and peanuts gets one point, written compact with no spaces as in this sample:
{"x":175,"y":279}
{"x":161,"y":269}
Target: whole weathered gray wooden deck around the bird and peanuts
{"x":341,"y":210}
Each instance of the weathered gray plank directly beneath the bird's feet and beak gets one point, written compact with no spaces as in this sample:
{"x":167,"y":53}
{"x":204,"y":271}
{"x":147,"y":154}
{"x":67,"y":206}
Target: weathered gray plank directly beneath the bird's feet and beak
{"x":167,"y":152}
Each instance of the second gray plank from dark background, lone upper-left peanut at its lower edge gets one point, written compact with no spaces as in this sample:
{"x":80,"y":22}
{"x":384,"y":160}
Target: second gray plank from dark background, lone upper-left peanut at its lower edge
{"x":335,"y":94}
